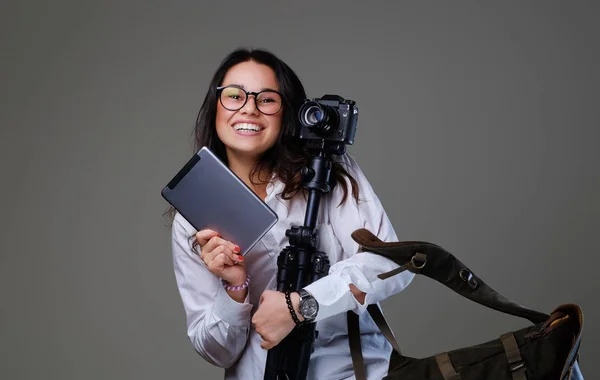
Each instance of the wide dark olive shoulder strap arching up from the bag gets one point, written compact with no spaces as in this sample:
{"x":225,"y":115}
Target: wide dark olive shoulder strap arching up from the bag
{"x":434,"y":262}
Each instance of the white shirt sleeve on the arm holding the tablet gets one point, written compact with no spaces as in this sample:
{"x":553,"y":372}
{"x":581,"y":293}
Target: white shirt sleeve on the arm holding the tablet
{"x":217,"y":325}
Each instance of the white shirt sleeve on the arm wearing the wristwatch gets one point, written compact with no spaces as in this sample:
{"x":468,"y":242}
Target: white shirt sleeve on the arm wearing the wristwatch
{"x":358,"y":268}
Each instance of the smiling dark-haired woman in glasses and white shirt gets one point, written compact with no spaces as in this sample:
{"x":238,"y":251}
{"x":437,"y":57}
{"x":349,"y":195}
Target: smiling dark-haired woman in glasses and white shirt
{"x":234,"y":314}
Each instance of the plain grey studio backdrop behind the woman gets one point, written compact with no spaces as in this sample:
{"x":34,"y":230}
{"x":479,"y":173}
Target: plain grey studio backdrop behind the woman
{"x":478,"y":130}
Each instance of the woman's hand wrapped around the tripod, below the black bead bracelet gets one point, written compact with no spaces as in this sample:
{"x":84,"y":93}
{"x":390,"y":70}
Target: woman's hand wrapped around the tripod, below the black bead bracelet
{"x":273,"y":321}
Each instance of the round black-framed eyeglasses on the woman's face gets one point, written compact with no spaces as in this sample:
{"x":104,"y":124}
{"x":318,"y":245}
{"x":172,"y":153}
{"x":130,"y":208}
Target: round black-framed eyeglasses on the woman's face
{"x":234,"y":98}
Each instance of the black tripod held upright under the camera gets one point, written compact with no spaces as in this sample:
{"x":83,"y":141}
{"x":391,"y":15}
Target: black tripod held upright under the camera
{"x":300,"y":264}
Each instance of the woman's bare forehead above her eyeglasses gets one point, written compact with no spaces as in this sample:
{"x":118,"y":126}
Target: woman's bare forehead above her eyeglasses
{"x":251,"y":76}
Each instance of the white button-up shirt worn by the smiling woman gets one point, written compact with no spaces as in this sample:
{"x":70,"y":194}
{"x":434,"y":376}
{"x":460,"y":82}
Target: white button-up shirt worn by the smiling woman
{"x":219,"y":327}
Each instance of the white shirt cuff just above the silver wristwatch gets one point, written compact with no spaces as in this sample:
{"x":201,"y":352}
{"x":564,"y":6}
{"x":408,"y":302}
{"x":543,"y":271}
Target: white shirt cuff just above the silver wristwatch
{"x":333,"y":294}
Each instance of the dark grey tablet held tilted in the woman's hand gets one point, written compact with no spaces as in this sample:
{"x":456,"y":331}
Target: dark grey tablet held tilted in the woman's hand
{"x":209,"y":195}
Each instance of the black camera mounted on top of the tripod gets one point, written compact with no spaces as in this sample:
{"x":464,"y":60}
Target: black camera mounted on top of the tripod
{"x":330,"y":118}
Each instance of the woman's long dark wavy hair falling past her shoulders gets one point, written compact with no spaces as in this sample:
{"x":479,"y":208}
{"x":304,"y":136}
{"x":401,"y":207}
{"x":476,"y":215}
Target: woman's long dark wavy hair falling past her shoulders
{"x":288,"y":156}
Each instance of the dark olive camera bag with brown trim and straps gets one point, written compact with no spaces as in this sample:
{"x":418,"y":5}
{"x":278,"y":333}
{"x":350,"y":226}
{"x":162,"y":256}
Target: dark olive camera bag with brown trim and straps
{"x":546,"y":350}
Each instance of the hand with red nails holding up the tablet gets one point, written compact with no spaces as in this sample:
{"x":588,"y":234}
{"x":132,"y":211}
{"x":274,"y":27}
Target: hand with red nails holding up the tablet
{"x":221,"y":257}
